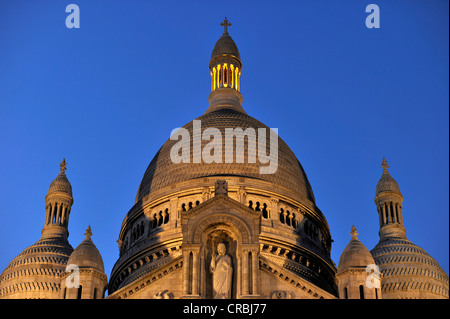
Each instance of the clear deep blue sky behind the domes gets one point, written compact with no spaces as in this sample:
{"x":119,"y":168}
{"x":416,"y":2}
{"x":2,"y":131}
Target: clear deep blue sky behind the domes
{"x":107,"y":95}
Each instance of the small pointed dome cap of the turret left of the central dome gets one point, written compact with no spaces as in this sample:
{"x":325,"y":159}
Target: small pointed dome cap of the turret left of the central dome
{"x":86,"y":255}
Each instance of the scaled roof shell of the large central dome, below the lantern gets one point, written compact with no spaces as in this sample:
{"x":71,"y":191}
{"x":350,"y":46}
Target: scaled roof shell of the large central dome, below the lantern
{"x":290,"y":176}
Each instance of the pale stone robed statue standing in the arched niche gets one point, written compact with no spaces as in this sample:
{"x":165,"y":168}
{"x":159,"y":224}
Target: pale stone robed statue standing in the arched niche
{"x":222,"y":270}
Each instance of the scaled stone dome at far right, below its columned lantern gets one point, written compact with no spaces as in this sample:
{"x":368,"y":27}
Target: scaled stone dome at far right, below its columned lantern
{"x":409,"y":271}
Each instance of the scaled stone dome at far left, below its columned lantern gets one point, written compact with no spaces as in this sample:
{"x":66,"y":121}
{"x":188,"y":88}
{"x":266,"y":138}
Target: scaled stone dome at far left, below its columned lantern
{"x":34,"y":273}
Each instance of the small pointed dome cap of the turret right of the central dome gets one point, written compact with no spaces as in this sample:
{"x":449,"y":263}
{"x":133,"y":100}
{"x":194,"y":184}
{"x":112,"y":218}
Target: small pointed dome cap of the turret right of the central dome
{"x":355,"y":255}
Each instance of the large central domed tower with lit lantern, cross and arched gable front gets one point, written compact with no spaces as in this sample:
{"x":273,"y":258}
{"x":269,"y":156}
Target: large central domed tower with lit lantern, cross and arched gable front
{"x":224,"y":177}
